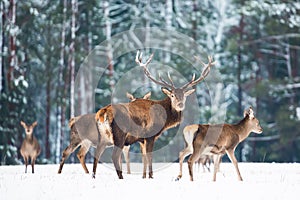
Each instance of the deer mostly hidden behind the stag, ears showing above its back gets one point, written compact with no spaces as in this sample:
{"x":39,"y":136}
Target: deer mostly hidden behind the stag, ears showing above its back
{"x":84,"y":133}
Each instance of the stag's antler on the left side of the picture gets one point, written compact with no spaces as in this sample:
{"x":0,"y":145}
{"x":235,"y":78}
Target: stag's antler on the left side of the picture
{"x":138,"y":60}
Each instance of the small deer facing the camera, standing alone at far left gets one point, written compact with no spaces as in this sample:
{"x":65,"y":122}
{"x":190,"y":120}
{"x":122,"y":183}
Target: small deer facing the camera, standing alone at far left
{"x":30,"y":147}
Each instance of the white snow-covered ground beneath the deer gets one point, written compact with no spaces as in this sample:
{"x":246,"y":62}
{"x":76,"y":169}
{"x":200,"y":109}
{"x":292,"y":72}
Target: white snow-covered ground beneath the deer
{"x":261,"y":181}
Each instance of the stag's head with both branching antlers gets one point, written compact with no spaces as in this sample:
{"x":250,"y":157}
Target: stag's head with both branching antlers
{"x":176,"y":95}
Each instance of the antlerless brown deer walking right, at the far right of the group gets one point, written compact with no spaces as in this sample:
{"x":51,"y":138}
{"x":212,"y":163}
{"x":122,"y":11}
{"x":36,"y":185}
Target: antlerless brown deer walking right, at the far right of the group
{"x":220,"y":139}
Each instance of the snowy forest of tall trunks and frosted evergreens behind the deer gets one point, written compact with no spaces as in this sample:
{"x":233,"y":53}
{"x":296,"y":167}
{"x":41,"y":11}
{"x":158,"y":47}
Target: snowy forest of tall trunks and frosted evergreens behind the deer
{"x":45,"y":43}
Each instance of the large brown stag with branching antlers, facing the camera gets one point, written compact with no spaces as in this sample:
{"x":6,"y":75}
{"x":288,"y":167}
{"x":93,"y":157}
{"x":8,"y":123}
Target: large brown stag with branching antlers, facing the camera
{"x":145,"y":120}
